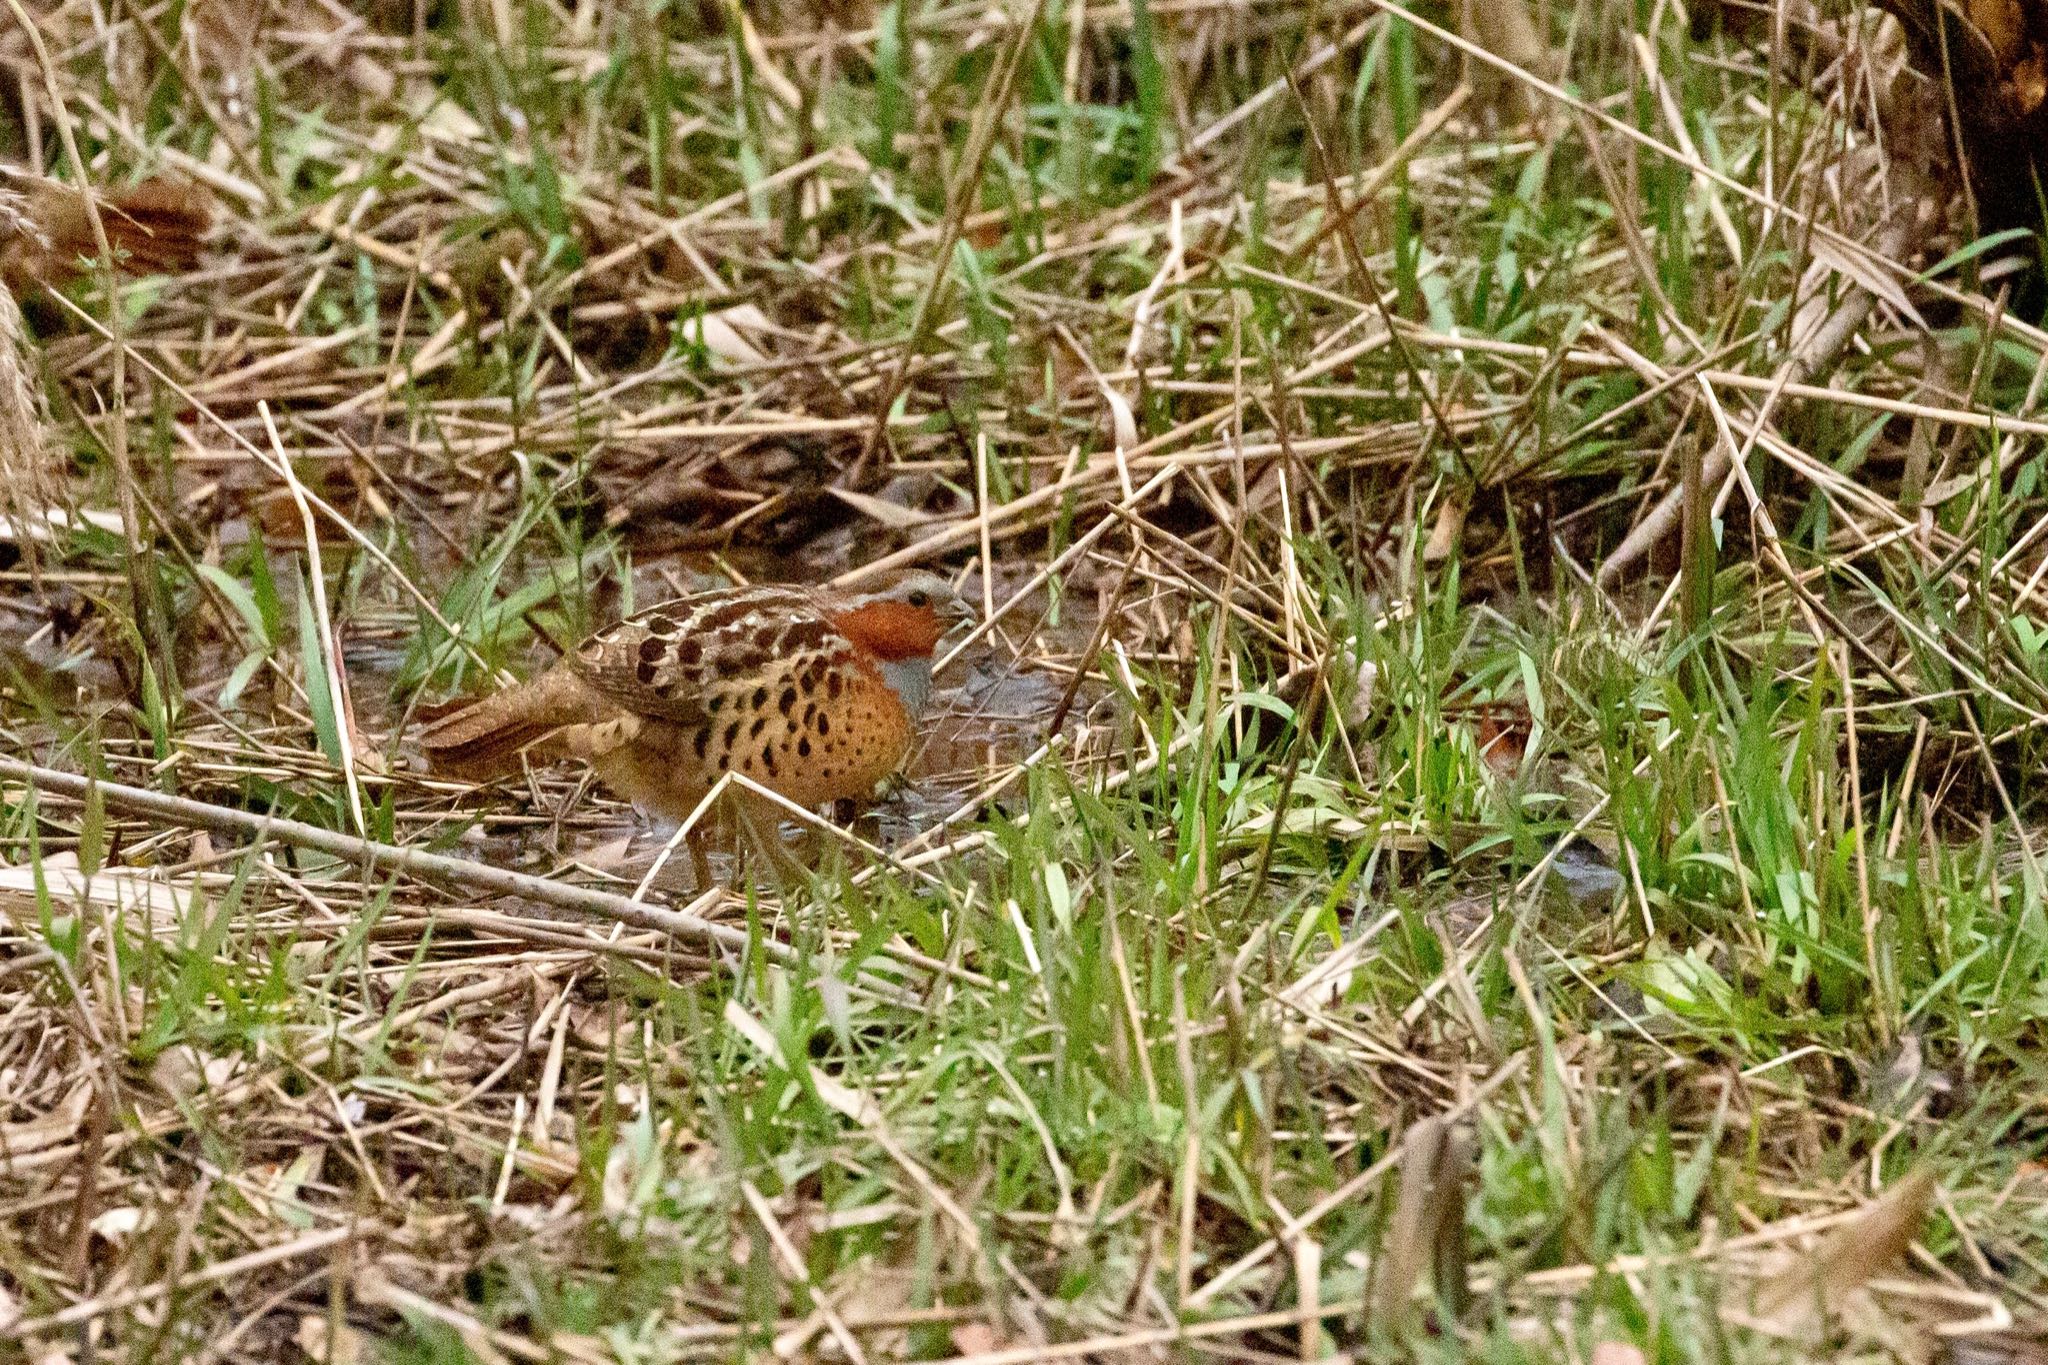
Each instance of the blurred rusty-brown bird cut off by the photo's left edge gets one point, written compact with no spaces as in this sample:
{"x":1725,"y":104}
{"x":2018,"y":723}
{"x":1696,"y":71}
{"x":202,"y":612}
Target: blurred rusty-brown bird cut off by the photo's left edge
{"x":46,"y":232}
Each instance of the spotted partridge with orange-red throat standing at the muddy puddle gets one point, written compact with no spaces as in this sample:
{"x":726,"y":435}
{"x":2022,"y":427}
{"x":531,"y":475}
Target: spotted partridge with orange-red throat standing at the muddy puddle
{"x":812,"y":693}
